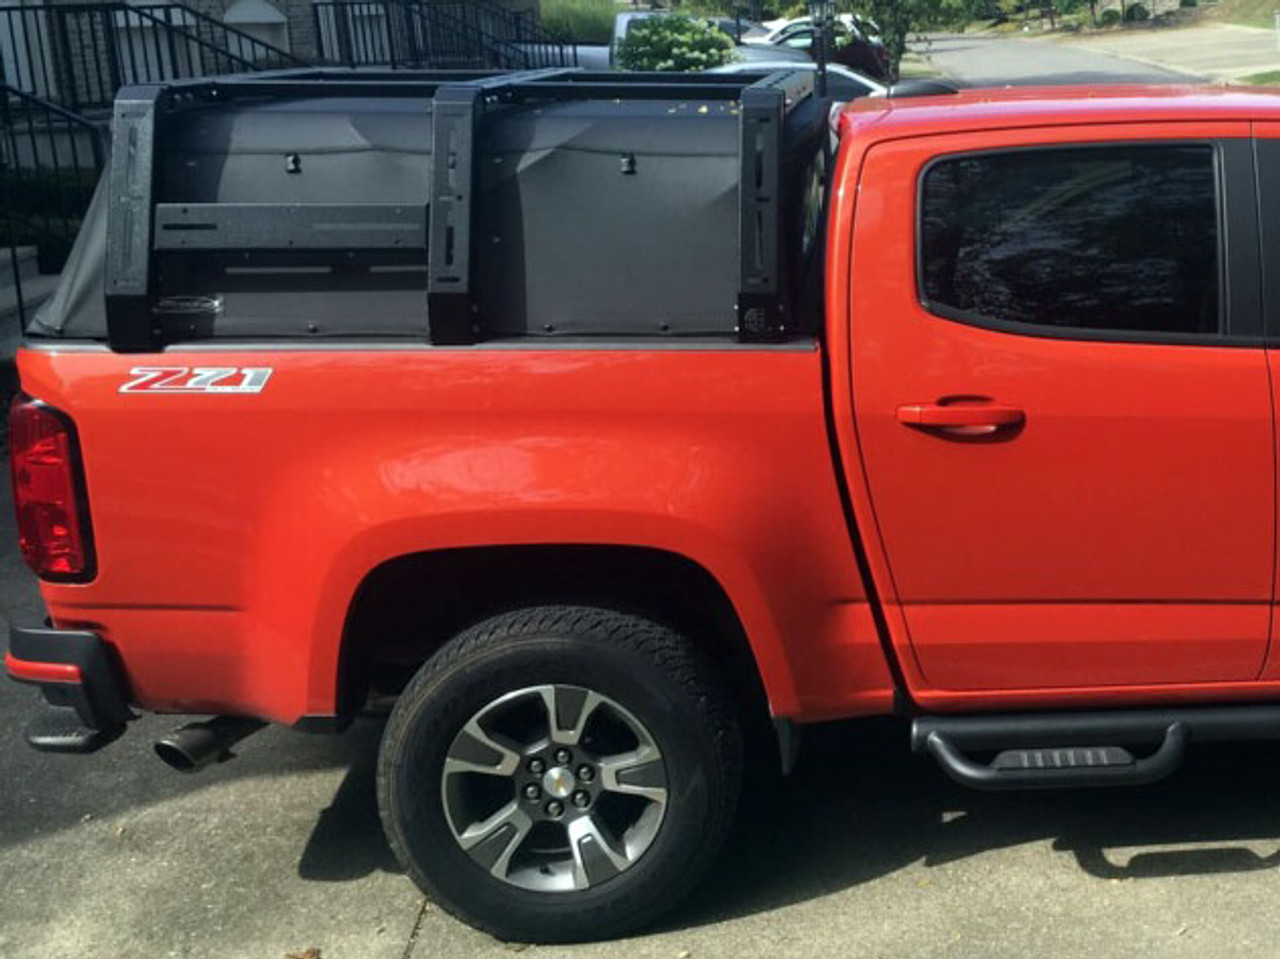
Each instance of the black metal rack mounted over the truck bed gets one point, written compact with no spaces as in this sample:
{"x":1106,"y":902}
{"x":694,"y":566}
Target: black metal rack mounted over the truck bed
{"x":143,"y":229}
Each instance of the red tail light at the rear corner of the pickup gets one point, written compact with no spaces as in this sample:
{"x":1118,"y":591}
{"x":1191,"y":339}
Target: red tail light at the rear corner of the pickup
{"x":49,"y":494}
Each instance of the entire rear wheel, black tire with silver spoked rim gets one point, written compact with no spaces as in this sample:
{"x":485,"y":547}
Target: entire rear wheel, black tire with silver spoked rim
{"x":659,"y":759}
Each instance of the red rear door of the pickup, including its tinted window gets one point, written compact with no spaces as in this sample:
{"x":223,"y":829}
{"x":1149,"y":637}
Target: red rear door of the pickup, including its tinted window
{"x":1063,"y":404}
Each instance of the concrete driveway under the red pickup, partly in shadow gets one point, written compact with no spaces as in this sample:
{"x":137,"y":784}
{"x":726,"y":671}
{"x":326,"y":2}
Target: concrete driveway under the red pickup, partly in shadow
{"x":867,"y":852}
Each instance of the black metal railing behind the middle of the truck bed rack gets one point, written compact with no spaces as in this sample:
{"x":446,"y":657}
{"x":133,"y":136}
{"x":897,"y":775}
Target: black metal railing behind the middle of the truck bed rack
{"x":440,"y":34}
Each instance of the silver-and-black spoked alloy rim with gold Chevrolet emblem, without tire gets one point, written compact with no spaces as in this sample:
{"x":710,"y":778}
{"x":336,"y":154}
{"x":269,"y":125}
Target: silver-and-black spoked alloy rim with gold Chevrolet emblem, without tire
{"x":506,"y":797}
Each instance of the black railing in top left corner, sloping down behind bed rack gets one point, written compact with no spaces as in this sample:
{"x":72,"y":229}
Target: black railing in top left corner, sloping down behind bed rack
{"x":80,"y":54}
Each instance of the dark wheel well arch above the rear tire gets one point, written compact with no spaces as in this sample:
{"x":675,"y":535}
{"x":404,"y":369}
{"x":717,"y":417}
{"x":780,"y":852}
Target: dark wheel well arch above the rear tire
{"x":412,"y":606}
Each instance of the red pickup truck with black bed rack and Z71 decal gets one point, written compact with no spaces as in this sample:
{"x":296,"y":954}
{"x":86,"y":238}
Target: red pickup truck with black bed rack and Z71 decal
{"x":624,"y":426}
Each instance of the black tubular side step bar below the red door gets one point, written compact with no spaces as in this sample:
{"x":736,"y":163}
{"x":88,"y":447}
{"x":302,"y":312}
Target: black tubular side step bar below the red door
{"x":1060,"y":751}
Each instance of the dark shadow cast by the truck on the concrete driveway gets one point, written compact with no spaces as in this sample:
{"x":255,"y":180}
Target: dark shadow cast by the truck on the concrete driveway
{"x":861,"y":807}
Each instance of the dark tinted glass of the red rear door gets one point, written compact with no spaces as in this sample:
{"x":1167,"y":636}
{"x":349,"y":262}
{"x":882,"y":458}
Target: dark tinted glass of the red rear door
{"x":1117,"y":239}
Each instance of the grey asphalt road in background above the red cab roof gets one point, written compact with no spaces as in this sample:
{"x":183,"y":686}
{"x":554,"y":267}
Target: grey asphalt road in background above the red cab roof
{"x":988,"y":61}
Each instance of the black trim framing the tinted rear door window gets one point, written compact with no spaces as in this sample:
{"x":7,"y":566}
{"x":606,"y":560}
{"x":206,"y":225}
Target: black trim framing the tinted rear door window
{"x":1240,"y":323}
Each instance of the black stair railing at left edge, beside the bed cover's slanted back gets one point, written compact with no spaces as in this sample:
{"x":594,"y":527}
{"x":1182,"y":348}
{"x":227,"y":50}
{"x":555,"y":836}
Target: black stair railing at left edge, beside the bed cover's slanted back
{"x":51,"y":161}
